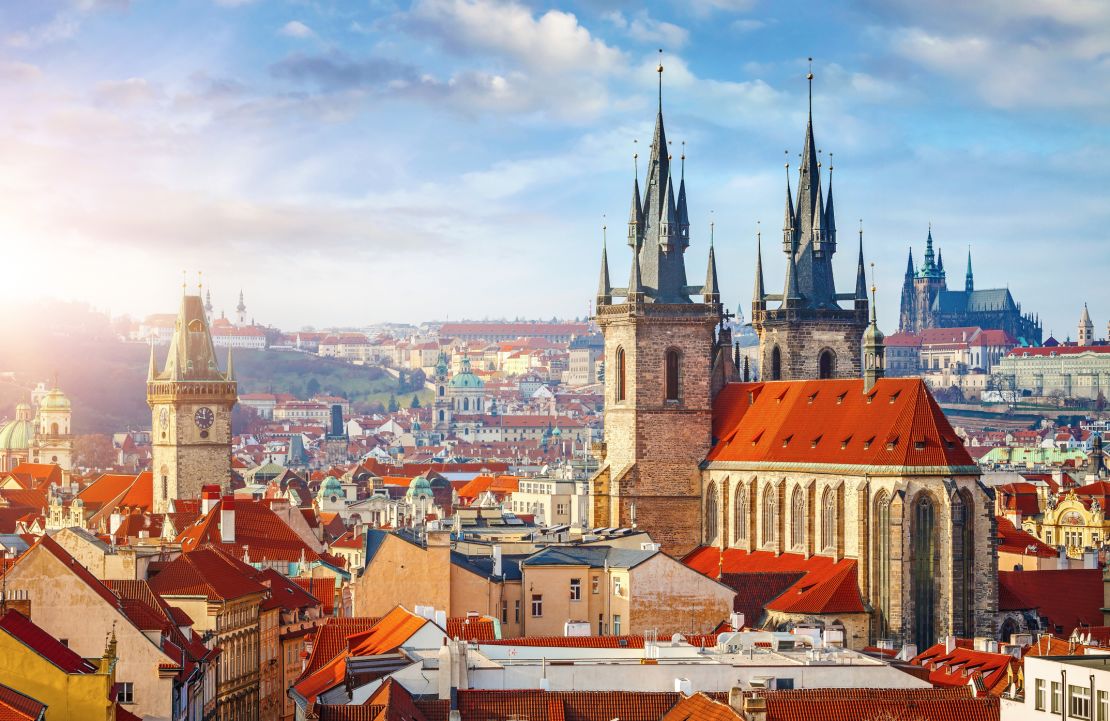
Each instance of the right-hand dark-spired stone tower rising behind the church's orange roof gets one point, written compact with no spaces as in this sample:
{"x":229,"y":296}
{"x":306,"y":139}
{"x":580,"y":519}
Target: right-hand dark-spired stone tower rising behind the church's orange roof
{"x":810,"y":336}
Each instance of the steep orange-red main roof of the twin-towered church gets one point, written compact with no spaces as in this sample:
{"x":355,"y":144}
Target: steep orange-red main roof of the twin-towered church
{"x":897,"y":423}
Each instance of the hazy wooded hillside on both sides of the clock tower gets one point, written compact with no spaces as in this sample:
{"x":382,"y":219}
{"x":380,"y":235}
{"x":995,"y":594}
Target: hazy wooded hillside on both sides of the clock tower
{"x":107,"y":379}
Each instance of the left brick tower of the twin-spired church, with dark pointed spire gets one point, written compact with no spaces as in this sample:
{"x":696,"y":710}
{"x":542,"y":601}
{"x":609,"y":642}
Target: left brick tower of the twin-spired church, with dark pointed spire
{"x":663,"y":361}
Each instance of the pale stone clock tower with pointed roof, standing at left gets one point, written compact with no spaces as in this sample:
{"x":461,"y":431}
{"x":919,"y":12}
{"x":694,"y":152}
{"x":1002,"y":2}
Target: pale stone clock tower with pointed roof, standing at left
{"x":190,"y":402}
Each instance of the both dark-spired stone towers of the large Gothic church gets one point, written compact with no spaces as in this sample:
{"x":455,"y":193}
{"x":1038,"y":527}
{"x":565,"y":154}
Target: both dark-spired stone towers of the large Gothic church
{"x":668,"y":352}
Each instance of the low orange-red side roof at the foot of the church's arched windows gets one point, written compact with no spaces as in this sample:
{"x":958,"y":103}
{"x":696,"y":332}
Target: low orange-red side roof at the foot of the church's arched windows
{"x":826,"y":587}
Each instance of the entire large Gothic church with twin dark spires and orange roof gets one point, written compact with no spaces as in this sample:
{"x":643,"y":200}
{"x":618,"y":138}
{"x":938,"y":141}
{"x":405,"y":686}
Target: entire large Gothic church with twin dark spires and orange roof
{"x":826,"y":464}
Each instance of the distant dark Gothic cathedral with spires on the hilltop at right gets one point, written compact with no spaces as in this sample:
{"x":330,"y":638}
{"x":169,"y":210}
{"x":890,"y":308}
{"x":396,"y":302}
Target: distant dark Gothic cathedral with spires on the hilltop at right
{"x":927,"y":303}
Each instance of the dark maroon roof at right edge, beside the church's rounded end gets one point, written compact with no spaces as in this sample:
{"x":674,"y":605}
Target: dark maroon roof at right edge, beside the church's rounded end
{"x":1043,"y":591}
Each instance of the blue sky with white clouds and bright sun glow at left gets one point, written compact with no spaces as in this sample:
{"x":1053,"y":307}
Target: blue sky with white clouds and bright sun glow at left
{"x":361,"y":161}
